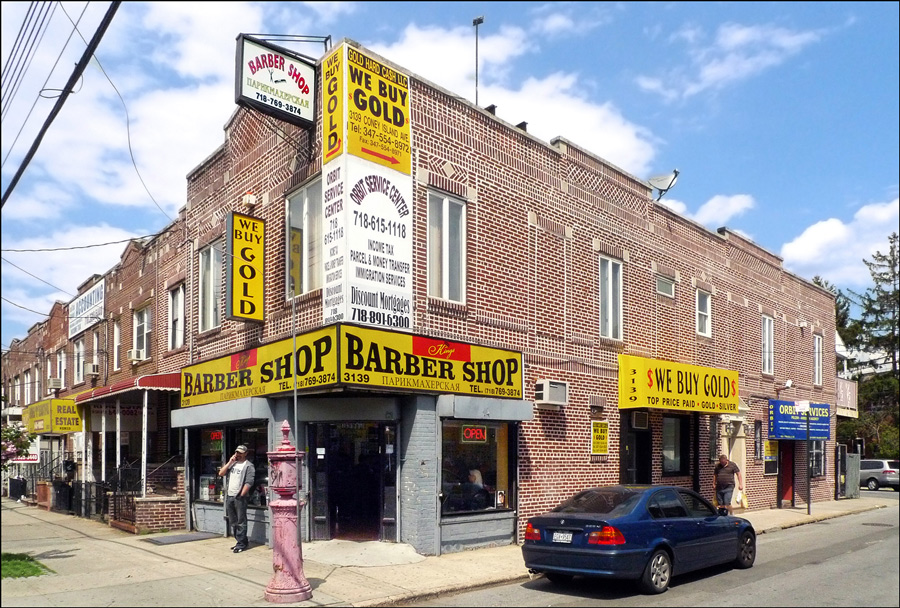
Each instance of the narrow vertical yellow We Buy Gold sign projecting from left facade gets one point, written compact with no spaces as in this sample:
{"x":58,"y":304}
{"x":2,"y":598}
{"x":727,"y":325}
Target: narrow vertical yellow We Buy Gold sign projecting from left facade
{"x":245,"y":285}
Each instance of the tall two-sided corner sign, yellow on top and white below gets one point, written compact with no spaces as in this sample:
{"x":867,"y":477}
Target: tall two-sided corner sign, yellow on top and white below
{"x":367,"y":192}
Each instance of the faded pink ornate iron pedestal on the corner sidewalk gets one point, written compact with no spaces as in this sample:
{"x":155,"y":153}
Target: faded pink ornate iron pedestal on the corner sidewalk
{"x":288,"y":584}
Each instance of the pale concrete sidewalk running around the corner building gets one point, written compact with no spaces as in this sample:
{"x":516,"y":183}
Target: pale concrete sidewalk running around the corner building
{"x":97,"y":565}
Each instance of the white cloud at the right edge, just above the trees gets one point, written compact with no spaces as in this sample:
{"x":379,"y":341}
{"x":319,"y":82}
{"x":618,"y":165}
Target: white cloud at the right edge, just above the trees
{"x":834,"y":249}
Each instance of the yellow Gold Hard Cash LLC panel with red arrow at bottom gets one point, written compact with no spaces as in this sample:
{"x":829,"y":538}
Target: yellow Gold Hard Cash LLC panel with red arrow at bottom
{"x":378,"y":117}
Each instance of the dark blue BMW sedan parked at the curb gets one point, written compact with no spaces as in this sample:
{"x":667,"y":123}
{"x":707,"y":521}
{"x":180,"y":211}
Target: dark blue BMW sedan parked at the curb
{"x":645,"y":533}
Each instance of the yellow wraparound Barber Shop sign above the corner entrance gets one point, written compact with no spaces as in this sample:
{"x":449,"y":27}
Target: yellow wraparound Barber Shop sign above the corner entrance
{"x":344,"y":355}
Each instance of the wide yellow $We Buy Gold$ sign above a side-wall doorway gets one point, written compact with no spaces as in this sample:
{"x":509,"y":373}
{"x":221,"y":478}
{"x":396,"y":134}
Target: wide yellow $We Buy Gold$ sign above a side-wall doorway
{"x":676,"y":386}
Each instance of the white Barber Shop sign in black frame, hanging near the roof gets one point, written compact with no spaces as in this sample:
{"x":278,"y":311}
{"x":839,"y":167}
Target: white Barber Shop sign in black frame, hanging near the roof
{"x":275,"y":81}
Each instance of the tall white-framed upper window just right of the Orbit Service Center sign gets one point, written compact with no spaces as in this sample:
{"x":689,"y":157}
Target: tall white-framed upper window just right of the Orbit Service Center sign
{"x":446,"y":221}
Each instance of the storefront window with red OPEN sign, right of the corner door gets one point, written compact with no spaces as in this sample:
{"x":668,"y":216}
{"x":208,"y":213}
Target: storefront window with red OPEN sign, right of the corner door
{"x":477,"y":467}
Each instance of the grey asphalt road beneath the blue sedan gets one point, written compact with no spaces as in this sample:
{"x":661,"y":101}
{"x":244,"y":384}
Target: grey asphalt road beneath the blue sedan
{"x":846,"y":561}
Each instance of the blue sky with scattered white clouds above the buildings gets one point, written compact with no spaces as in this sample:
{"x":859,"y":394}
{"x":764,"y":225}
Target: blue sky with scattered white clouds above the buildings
{"x":781,"y":117}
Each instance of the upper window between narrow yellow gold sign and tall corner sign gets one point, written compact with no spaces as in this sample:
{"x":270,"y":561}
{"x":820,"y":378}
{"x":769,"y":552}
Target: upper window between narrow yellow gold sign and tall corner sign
{"x":304,"y":224}
